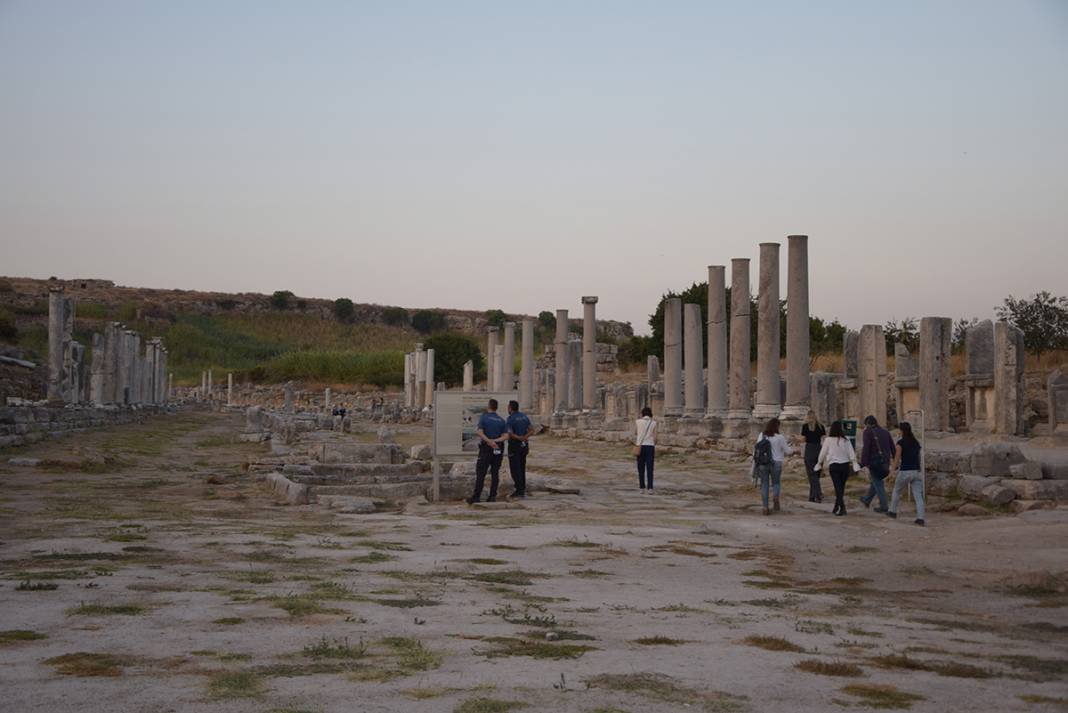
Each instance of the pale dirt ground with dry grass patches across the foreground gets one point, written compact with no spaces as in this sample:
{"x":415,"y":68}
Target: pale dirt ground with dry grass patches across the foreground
{"x":145,"y":571}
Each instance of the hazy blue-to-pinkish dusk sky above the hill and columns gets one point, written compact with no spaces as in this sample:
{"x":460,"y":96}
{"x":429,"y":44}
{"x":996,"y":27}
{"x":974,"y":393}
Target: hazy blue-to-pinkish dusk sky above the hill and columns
{"x":520,"y":155}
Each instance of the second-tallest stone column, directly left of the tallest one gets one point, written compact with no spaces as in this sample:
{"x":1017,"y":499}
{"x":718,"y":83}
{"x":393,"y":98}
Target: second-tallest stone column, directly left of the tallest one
{"x":768,"y":338}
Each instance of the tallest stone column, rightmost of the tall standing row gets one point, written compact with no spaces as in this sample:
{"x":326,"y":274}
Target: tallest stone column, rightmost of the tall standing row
{"x":798,"y":389}
